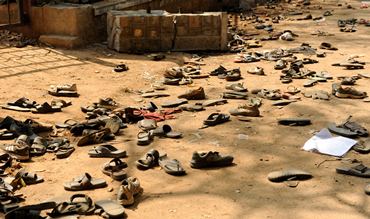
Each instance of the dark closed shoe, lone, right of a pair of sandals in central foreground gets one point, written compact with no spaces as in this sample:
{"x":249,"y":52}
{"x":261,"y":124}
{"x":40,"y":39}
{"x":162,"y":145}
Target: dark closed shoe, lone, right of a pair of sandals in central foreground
{"x":210,"y":159}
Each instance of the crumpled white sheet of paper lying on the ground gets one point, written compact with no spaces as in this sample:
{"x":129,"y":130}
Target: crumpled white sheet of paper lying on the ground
{"x":323,"y":142}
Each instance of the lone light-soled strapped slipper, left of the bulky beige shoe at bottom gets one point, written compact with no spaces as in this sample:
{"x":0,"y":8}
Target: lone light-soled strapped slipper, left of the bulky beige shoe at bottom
{"x":85,"y":182}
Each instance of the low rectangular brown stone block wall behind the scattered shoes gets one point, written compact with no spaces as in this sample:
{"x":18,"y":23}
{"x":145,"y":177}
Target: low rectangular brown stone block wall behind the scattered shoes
{"x":137,"y":31}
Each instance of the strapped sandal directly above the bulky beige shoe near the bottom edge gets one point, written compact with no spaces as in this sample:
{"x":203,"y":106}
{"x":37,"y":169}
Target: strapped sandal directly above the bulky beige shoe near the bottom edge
{"x":115,"y":169}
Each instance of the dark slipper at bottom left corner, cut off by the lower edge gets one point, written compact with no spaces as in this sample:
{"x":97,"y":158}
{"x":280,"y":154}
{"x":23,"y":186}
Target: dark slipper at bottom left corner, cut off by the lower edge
{"x":29,"y":211}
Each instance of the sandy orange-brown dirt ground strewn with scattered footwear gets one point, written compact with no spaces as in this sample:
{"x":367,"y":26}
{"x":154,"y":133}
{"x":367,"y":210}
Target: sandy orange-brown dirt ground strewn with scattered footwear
{"x":239,"y":191}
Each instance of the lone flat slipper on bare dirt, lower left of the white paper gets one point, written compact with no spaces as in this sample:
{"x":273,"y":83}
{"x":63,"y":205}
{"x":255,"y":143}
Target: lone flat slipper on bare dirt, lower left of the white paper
{"x":288,"y":174}
